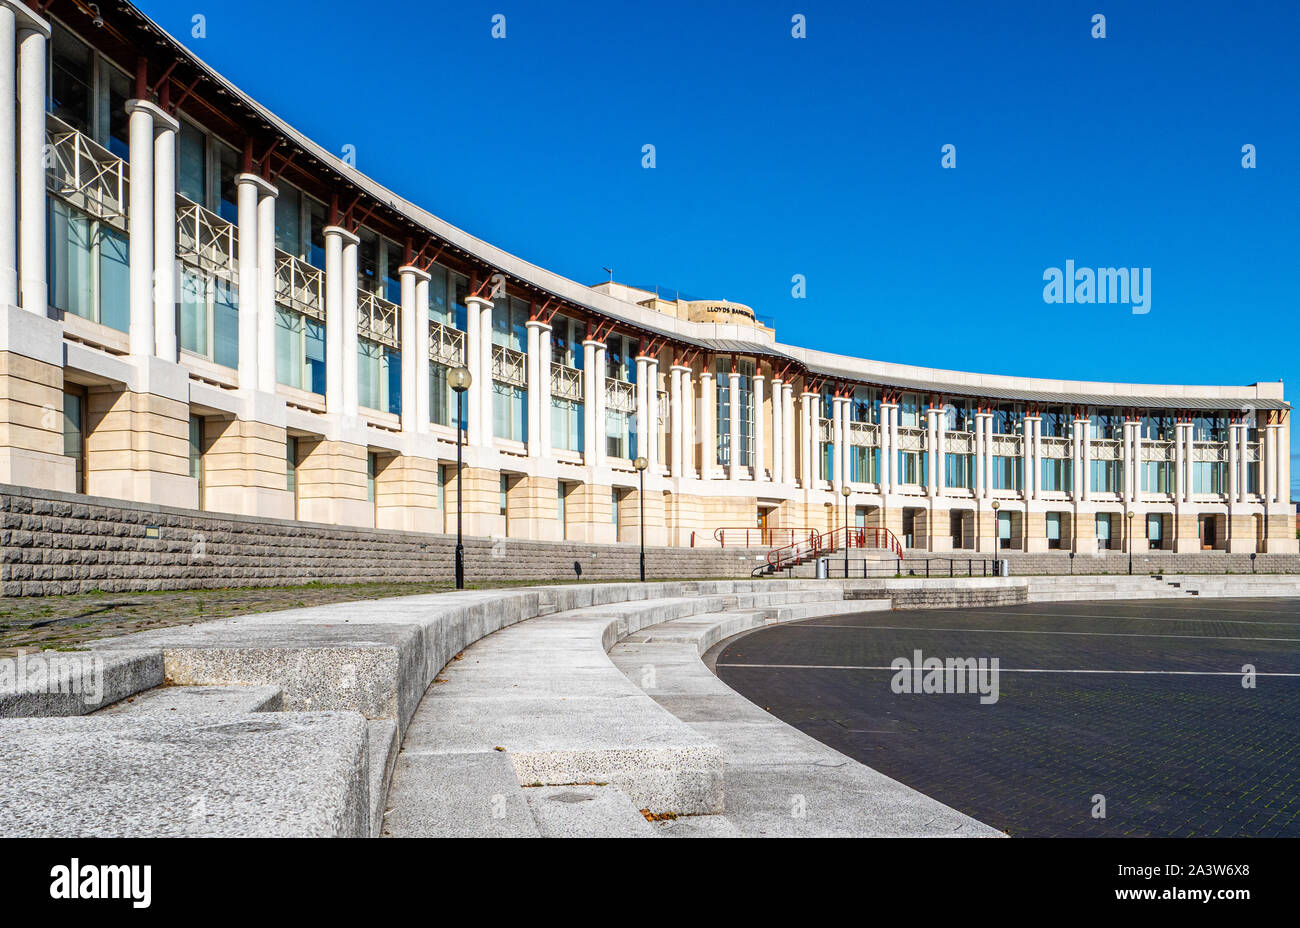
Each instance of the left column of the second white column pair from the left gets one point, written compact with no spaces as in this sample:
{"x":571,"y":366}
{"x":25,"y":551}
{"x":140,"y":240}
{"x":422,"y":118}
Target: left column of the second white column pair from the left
{"x":140,"y":222}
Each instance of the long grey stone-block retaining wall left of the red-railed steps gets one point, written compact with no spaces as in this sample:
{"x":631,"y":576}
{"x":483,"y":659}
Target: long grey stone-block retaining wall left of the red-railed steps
{"x":60,"y":543}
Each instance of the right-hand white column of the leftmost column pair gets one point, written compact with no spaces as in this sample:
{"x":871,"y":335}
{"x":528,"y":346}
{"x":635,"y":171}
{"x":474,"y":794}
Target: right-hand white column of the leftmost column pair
{"x":33,"y":34}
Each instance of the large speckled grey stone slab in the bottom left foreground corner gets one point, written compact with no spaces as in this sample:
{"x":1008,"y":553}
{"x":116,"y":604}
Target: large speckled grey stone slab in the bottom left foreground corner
{"x":151,"y":775}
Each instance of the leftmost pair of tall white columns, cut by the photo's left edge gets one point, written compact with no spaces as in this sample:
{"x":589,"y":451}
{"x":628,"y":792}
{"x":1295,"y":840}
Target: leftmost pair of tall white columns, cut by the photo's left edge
{"x":24,"y":38}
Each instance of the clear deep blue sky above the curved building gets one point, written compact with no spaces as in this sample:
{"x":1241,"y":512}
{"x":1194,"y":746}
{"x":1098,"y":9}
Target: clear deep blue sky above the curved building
{"x":821,"y":157}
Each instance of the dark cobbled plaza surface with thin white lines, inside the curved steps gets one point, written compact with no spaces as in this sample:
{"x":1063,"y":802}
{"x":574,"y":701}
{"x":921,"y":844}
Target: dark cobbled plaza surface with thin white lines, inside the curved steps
{"x":1173,"y":754}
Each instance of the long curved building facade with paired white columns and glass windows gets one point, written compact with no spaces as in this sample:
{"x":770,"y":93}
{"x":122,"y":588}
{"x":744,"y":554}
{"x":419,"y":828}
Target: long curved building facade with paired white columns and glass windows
{"x":202,"y":307}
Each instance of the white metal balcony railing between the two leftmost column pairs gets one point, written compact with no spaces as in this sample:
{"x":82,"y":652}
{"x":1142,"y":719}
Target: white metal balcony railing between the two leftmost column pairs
{"x":85,"y":175}
